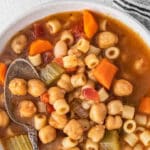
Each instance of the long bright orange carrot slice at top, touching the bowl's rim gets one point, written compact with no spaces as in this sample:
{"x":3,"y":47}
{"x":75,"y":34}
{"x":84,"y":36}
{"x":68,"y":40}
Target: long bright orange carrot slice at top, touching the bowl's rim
{"x":90,"y":24}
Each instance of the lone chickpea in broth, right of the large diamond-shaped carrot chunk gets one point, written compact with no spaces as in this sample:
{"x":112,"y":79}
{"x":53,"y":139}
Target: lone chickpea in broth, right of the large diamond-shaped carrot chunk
{"x":122,"y":88}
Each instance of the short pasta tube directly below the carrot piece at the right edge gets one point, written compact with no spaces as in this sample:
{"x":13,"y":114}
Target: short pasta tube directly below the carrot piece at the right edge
{"x":141,"y":119}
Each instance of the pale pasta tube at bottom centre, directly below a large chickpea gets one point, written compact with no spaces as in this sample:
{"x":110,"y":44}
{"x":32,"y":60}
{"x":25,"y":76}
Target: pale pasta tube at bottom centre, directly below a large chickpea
{"x":67,"y":143}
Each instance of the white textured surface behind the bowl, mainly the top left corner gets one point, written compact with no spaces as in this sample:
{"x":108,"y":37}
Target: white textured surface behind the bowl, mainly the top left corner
{"x":11,"y":9}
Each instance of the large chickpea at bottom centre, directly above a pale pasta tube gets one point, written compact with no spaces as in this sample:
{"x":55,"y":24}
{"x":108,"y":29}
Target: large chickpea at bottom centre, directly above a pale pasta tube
{"x":73,"y":129}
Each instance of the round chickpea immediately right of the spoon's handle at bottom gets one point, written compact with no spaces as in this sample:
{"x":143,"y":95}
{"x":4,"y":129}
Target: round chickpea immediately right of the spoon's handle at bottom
{"x":47,"y":134}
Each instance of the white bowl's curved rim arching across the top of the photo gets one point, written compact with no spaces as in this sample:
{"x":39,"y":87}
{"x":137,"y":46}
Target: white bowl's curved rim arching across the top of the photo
{"x":65,"y":5}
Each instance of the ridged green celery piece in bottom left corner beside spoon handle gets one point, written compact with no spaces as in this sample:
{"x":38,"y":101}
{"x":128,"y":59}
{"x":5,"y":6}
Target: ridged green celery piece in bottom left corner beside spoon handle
{"x":20,"y":142}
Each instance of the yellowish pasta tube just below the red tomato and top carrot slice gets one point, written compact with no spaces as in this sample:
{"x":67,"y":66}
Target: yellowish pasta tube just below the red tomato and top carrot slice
{"x":83,"y":45}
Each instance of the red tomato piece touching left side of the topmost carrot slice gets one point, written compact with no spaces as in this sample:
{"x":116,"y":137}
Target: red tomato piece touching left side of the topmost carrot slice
{"x":77,"y":30}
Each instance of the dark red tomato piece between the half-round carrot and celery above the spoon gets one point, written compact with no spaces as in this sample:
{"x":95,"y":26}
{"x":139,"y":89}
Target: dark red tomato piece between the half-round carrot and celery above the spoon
{"x":47,"y":57}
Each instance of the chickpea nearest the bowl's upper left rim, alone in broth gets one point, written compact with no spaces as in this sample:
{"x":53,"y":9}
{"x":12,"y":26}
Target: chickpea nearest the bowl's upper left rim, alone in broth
{"x":19,"y":43}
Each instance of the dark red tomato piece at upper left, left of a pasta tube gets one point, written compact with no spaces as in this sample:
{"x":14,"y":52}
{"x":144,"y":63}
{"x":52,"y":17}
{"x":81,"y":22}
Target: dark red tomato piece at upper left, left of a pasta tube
{"x":38,"y":30}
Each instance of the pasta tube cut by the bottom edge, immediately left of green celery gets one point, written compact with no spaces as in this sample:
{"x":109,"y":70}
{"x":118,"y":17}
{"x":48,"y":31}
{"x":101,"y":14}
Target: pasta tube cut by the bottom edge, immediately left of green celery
{"x":91,"y":145}
